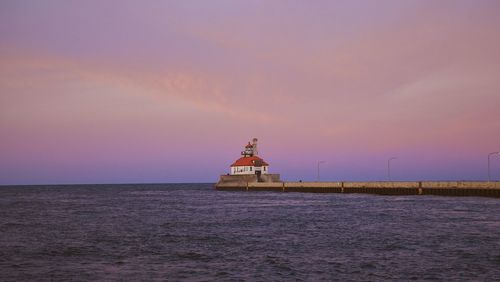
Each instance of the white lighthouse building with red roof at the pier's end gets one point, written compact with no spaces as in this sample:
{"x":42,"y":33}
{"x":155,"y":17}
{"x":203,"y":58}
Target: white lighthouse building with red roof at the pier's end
{"x":250,"y":163}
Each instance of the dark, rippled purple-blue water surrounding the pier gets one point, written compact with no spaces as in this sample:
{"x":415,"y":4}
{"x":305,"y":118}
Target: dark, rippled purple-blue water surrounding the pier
{"x":192,"y":232}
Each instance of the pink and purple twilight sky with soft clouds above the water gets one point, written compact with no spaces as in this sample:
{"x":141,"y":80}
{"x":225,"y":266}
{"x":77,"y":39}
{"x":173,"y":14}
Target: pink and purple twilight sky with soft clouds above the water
{"x":170,"y":91}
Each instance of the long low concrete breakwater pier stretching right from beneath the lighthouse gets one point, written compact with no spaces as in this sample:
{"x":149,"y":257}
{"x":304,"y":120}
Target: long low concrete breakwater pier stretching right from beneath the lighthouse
{"x":444,"y":188}
